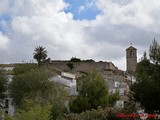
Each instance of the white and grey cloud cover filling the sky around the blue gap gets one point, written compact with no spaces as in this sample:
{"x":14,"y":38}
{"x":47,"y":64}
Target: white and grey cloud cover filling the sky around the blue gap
{"x":43,"y":22}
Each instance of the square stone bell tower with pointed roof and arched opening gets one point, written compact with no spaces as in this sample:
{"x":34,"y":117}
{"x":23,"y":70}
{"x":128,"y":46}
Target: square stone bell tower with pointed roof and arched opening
{"x":131,"y":59}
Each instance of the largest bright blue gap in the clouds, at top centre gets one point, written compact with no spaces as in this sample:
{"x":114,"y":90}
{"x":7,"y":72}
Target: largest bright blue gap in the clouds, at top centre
{"x":83,"y":9}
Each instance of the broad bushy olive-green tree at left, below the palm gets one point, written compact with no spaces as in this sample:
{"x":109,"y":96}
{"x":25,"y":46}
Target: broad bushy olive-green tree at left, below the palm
{"x":32,"y":86}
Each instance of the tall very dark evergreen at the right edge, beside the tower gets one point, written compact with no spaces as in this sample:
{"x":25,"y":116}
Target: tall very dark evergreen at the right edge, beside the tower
{"x":146,"y":88}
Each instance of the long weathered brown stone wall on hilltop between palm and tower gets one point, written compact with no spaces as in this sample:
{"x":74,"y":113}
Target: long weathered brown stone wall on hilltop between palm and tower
{"x":107,"y":69}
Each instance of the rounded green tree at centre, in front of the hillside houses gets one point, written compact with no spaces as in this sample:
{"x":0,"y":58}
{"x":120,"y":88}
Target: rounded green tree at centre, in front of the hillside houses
{"x":93,"y":92}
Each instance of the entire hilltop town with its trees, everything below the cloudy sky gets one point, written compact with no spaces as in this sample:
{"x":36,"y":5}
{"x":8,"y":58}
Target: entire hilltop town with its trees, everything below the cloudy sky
{"x":76,"y":89}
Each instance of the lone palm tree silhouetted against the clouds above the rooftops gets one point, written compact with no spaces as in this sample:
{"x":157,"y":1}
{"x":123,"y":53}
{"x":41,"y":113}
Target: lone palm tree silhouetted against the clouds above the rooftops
{"x":40,"y":54}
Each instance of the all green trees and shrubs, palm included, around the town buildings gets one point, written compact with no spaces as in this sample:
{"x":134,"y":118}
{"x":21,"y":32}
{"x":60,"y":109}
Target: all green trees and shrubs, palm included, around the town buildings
{"x":35,"y":96}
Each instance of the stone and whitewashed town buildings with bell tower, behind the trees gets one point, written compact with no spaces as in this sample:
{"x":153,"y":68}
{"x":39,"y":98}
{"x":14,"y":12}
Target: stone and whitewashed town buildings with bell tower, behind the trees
{"x":69,"y":71}
